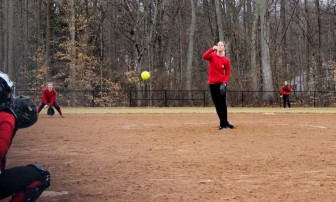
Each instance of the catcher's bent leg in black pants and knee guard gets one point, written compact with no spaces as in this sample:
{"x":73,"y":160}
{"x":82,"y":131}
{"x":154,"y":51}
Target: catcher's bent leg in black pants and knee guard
{"x":19,"y":179}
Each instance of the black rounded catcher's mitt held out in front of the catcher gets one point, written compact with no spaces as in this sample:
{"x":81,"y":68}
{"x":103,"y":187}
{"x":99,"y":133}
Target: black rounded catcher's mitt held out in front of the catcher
{"x":25,"y":111}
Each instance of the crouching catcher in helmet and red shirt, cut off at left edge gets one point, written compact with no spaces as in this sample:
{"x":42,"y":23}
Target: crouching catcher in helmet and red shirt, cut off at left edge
{"x":24,"y":183}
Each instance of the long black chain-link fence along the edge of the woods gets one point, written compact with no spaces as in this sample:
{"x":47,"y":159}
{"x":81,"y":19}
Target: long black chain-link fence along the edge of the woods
{"x":182,"y":98}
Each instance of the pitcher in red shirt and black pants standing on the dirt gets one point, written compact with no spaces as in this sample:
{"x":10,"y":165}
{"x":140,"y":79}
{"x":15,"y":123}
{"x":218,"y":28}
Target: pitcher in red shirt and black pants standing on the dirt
{"x":218,"y":77}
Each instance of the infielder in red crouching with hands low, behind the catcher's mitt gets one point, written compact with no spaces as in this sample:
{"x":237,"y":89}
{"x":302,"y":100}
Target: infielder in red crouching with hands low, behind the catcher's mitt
{"x":49,"y":97}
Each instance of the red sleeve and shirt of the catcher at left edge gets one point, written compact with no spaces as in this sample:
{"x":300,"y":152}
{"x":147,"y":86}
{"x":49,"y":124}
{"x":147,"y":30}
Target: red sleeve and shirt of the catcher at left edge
{"x":7,"y":126}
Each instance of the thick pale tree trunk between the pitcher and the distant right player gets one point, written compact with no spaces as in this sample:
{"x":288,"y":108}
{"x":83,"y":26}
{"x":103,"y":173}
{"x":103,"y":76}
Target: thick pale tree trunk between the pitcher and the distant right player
{"x":265,"y":52}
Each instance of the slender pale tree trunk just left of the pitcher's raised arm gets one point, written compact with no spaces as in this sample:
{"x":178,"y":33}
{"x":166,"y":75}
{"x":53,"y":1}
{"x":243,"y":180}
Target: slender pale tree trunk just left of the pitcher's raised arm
{"x":190,"y":51}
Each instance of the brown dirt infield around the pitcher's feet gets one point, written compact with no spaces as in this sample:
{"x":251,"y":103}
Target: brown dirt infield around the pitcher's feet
{"x":183,"y":156}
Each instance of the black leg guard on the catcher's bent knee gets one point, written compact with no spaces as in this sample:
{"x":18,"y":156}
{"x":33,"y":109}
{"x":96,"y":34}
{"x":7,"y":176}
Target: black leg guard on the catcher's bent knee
{"x":36,"y":188}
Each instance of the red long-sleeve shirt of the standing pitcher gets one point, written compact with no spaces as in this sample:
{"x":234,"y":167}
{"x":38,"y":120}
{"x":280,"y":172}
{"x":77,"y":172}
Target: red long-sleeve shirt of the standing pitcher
{"x":219,"y":67}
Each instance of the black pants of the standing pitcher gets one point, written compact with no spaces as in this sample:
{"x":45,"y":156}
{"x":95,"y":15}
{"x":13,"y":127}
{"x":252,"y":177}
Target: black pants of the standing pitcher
{"x":220,"y":103}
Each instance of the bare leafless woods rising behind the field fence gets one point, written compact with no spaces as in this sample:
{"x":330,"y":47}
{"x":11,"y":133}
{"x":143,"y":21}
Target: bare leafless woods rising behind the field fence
{"x":104,"y":45}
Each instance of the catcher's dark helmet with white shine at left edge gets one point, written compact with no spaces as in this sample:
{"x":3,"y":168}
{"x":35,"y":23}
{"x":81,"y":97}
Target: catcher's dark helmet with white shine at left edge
{"x":6,"y":91}
